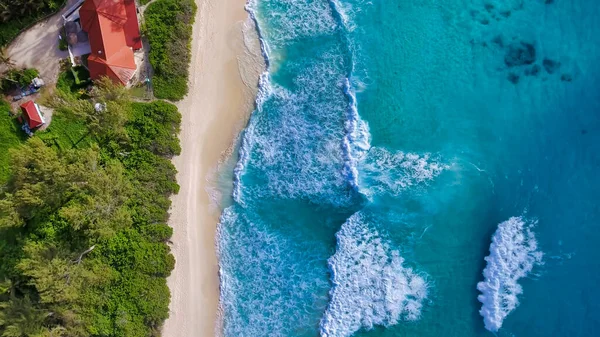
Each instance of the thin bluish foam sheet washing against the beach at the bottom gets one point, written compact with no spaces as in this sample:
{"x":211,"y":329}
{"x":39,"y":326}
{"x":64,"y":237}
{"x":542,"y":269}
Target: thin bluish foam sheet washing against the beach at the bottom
{"x":267,"y":279}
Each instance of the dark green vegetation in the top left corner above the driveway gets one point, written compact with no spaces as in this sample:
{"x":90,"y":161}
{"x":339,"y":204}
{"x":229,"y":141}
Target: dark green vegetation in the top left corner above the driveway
{"x":16,"y":15}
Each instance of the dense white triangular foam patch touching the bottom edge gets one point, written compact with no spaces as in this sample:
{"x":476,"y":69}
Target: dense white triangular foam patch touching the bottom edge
{"x":371,"y":286}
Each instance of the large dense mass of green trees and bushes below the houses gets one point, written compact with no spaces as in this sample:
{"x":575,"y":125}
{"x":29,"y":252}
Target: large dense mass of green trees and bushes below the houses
{"x":82,"y":219}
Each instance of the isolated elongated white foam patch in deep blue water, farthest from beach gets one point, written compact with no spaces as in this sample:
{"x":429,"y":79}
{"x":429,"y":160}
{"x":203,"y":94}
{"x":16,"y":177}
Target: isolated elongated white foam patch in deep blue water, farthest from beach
{"x":513,"y":254}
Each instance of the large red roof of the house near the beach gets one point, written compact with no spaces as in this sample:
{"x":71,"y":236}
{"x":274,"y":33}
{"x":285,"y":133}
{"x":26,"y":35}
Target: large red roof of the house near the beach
{"x":113,"y":30}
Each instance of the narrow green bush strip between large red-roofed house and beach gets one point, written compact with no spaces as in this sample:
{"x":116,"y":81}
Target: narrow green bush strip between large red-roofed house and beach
{"x":168,"y":25}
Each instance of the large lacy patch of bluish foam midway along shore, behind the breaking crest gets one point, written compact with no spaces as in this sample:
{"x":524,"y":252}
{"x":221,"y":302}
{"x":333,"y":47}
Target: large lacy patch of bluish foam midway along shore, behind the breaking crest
{"x":296,"y":151}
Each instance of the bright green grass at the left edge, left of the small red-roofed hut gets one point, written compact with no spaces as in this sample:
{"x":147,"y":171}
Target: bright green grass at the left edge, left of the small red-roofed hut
{"x":10,"y":136}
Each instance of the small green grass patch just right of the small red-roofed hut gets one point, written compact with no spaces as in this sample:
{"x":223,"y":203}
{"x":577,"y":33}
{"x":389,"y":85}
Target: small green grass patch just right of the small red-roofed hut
{"x":66,"y":133}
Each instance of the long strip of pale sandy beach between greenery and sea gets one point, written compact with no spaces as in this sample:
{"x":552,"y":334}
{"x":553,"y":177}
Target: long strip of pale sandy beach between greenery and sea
{"x":223,"y":77}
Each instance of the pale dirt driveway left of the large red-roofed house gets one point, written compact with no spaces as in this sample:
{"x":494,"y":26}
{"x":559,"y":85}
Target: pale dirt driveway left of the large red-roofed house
{"x":38,"y":47}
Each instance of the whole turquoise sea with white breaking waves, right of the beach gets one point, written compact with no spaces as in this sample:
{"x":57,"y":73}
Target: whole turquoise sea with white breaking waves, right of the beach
{"x":418,"y":168}
